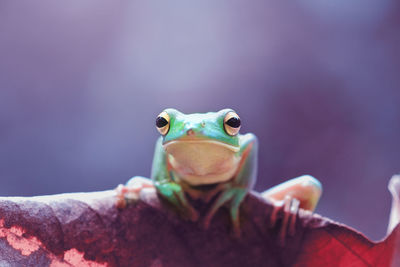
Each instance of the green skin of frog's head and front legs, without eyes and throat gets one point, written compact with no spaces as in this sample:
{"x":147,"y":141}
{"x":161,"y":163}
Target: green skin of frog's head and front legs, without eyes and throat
{"x":207,"y":126}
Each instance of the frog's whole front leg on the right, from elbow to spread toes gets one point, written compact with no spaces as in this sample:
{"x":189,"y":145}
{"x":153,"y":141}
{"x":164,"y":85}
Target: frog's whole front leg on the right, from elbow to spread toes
{"x":235,"y":190}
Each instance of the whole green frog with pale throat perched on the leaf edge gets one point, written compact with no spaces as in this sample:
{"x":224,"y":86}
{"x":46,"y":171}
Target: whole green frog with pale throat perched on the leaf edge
{"x":203,"y":156}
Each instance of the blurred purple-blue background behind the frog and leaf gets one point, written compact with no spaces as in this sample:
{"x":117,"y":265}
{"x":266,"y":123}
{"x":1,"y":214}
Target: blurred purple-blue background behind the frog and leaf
{"x":318,"y":82}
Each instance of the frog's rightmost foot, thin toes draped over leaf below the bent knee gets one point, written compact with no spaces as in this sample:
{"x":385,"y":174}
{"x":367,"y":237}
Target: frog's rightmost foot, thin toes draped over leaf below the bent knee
{"x":290,"y":208}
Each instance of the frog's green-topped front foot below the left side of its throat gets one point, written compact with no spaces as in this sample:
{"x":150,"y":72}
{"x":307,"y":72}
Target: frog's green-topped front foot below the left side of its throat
{"x":174,"y":193}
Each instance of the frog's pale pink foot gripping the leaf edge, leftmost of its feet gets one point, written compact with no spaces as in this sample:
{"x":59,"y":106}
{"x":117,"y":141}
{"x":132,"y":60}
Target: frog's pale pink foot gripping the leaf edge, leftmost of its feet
{"x":130,"y":192}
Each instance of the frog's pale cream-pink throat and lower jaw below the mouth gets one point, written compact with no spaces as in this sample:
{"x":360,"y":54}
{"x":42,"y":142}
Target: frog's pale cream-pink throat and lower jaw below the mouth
{"x":201,"y":162}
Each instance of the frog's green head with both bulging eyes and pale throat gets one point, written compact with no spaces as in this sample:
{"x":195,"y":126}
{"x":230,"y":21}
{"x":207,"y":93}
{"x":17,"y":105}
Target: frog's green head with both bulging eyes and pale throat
{"x":201,"y":148}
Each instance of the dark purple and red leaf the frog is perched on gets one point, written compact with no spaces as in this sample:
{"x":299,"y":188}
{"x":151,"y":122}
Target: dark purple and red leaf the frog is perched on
{"x":87,"y":230}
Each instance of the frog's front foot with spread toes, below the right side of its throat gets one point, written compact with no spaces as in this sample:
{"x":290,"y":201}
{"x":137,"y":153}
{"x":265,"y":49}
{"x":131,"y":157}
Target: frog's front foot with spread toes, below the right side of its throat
{"x":233,"y":196}
